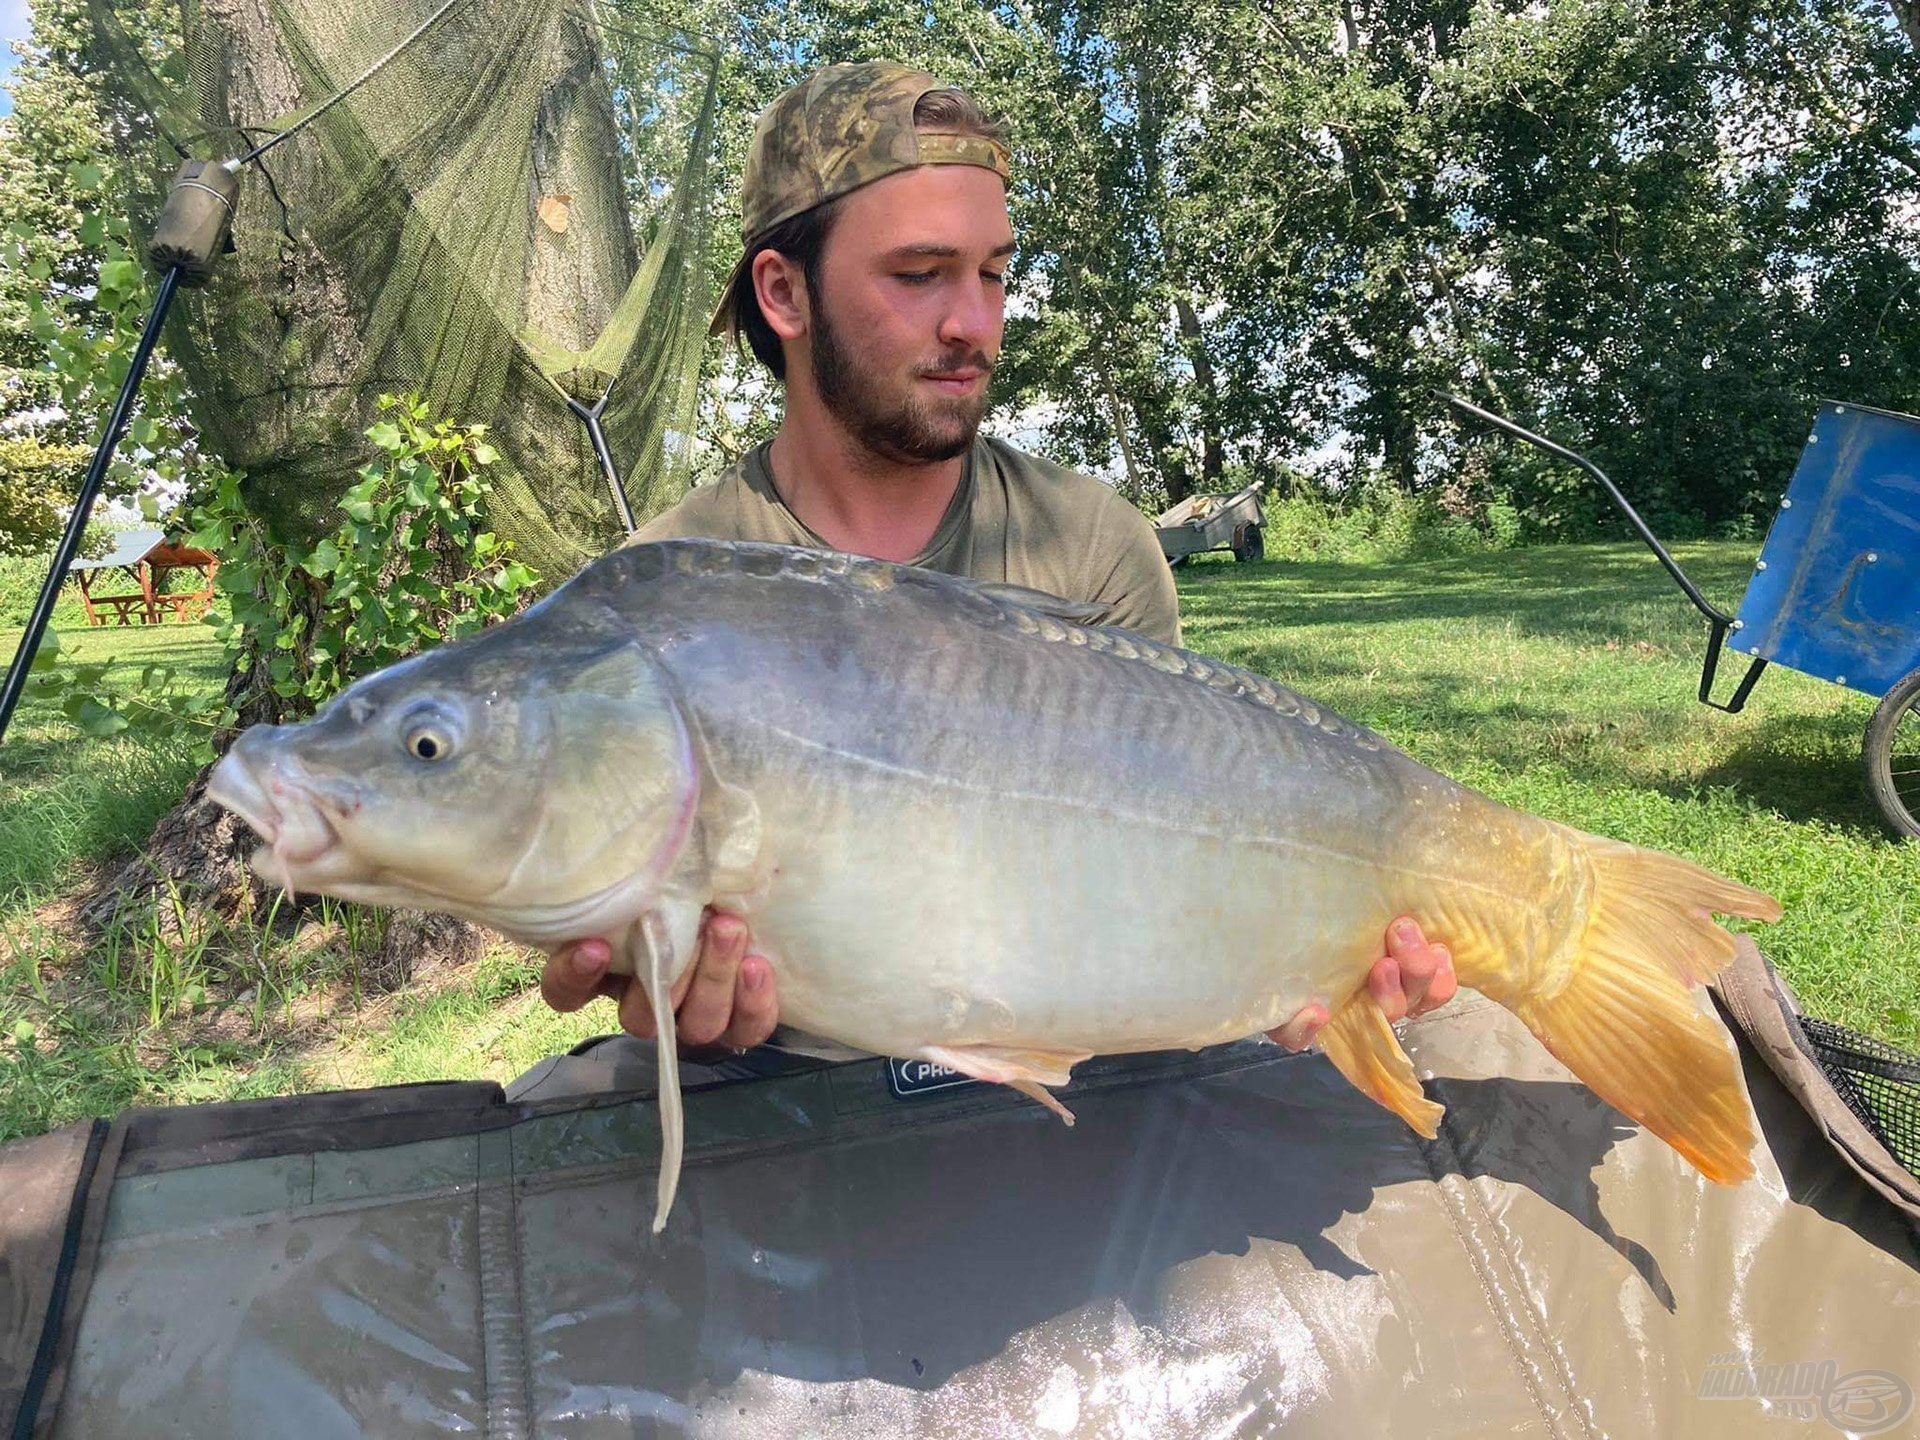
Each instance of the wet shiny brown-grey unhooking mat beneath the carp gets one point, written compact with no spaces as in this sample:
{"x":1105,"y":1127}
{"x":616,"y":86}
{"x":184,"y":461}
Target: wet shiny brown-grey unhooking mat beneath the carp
{"x":1232,"y":1243}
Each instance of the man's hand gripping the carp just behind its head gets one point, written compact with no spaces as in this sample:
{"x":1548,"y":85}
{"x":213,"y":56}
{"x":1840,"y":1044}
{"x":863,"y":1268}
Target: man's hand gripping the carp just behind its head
{"x":727,"y":996}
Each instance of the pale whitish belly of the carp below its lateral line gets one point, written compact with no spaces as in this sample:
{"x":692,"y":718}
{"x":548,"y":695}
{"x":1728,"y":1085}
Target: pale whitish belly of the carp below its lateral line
{"x":905,"y":917}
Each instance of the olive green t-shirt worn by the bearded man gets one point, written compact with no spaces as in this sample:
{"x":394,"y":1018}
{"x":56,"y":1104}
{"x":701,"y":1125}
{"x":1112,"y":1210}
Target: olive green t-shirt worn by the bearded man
{"x":1015,"y":519}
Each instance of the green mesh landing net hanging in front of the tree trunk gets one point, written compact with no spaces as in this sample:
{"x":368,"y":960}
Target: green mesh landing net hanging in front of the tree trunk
{"x":506,"y":214}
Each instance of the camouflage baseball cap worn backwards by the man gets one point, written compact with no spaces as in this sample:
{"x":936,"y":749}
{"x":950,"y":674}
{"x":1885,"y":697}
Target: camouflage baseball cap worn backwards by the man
{"x":838,"y":130}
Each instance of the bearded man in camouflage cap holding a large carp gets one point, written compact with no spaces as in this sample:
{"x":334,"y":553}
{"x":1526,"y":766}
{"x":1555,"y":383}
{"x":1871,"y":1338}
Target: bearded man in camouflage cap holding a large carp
{"x":873,"y":287}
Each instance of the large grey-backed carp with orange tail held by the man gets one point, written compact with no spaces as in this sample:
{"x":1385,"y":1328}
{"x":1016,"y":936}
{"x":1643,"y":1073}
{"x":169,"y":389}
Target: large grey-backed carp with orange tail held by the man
{"x":971,"y":830}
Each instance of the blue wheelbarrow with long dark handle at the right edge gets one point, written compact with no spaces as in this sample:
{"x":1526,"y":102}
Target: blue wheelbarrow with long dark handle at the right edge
{"x":1836,"y":590}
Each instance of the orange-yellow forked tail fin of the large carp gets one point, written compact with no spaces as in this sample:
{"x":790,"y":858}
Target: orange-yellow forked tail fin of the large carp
{"x":1621,"y":1011}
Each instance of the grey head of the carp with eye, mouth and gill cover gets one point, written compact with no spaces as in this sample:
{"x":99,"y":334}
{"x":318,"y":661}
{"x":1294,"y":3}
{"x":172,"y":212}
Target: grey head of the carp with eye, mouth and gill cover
{"x":527,"y":780}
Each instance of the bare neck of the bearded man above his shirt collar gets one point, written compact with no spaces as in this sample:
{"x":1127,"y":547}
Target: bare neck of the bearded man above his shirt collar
{"x":855,"y":500}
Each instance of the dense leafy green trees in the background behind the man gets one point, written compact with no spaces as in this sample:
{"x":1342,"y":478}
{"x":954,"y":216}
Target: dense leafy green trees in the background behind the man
{"x":1260,"y":233}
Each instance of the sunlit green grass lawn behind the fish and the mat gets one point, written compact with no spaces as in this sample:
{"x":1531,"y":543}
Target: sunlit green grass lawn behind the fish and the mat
{"x":1558,"y":681}
